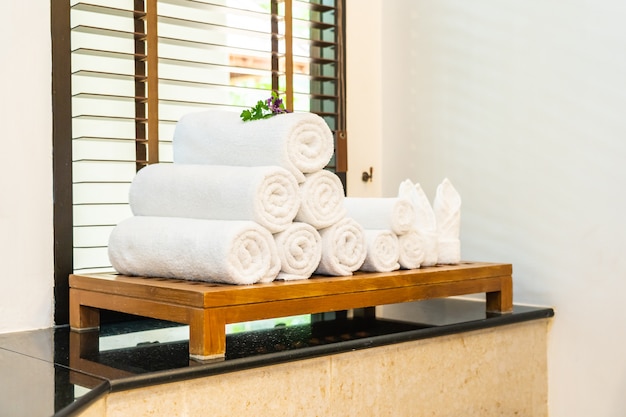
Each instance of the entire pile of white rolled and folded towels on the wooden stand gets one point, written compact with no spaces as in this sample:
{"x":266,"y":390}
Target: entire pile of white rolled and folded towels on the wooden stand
{"x":248,"y":202}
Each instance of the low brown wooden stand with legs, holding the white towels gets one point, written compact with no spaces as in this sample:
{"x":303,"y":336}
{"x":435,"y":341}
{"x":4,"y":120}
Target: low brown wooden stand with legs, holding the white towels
{"x":208,"y":307}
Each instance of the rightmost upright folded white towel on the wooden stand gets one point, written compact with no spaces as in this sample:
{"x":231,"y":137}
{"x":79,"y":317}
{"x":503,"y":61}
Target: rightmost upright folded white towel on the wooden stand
{"x":447,"y":208}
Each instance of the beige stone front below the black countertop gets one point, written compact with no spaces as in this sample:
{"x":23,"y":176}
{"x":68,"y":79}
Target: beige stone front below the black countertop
{"x":493,"y":372}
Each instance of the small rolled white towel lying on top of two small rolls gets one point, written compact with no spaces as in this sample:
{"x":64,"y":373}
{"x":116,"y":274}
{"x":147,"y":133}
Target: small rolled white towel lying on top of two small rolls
{"x":395,"y":214}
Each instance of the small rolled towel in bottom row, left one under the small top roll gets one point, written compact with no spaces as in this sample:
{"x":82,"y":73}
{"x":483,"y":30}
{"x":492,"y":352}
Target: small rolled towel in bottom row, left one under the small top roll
{"x":383,"y":251}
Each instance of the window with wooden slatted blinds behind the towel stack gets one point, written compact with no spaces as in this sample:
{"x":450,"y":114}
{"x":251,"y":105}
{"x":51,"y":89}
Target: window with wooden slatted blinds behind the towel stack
{"x":136,"y":66}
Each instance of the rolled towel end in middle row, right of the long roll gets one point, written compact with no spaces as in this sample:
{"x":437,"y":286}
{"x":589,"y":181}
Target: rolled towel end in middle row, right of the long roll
{"x":321,"y":200}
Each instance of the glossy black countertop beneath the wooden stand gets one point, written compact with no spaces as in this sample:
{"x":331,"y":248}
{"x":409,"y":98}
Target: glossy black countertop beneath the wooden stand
{"x":56,"y":372}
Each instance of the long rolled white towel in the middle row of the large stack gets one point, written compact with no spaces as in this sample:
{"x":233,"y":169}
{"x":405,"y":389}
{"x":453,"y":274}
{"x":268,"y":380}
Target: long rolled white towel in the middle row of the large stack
{"x":267,"y":195}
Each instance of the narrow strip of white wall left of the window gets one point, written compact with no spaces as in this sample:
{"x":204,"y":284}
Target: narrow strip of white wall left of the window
{"x":26,"y":238}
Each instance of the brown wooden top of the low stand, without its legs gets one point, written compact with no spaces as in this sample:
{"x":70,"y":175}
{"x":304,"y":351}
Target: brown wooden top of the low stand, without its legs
{"x":203,"y":294}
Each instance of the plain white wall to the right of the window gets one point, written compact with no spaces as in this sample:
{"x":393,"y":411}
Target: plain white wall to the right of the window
{"x":523,"y":106}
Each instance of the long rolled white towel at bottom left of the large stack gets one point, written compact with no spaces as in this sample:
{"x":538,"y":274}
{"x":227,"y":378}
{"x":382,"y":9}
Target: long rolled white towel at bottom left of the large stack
{"x":227,"y":251}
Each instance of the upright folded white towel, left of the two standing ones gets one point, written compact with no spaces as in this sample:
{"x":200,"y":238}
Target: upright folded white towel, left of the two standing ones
{"x":425,"y":221}
